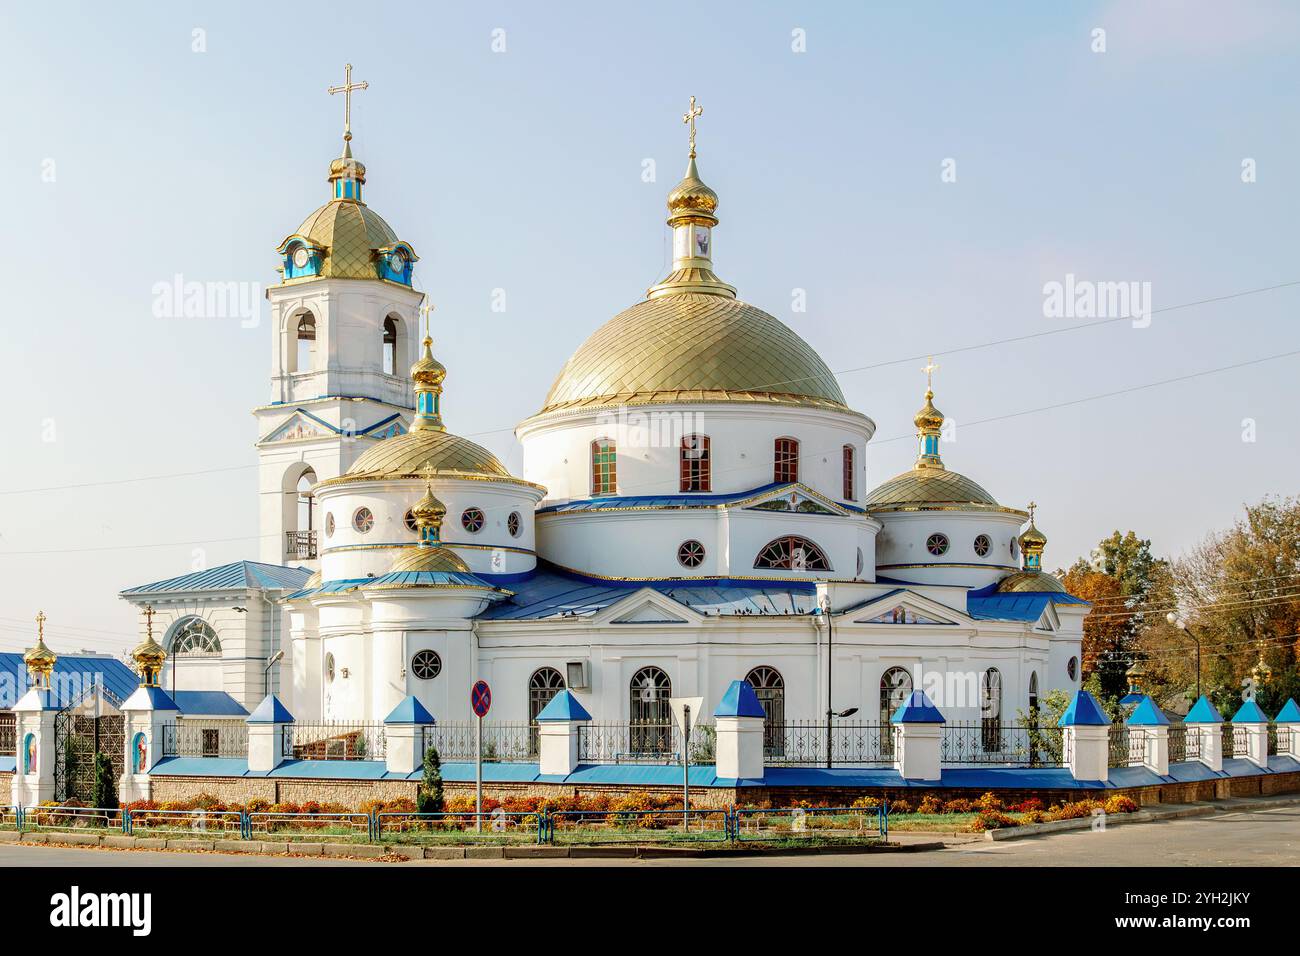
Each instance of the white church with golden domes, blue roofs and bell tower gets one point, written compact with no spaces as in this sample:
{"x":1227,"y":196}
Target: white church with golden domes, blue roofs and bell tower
{"x":694,"y":509}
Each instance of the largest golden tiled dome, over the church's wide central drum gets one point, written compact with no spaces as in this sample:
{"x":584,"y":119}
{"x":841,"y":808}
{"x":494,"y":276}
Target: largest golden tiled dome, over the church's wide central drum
{"x":695,"y":348}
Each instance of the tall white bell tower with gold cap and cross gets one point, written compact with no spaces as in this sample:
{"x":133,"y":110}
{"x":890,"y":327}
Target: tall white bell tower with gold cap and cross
{"x":345,"y":330}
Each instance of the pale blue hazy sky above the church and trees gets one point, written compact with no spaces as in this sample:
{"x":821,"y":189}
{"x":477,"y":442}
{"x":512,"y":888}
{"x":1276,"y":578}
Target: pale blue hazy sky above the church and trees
{"x":522,"y":171}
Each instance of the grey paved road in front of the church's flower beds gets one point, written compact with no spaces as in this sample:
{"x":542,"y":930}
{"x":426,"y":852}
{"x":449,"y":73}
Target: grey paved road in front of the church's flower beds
{"x":1241,"y":838}
